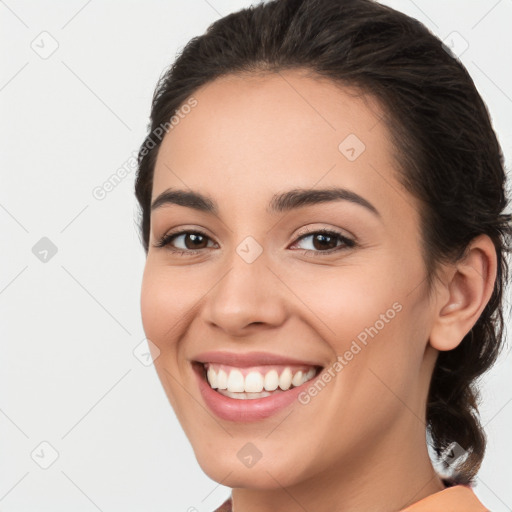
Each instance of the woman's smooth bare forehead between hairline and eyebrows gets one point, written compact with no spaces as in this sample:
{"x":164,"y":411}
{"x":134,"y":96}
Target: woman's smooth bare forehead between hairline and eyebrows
{"x":250,"y":136}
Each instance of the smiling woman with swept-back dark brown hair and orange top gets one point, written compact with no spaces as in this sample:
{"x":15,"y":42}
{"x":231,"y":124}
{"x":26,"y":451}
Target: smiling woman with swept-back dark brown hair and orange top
{"x":322,"y":198}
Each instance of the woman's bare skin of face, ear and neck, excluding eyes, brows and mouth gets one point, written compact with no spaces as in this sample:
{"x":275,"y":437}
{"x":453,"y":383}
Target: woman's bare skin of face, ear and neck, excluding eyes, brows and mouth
{"x":360,"y":443}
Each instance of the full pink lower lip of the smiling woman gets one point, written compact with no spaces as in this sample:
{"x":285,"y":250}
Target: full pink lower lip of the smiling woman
{"x":252,"y":409}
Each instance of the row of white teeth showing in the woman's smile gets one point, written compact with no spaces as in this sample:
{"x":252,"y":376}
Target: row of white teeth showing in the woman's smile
{"x":255,"y":384}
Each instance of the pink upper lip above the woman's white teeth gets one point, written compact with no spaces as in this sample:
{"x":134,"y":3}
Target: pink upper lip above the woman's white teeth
{"x":247,"y":359}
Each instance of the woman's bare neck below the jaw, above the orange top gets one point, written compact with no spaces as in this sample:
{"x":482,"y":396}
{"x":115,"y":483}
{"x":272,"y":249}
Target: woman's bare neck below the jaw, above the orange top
{"x":387,"y":477}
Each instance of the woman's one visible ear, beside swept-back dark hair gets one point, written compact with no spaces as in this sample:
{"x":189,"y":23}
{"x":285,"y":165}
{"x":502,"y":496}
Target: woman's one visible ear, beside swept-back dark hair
{"x":465,"y":291}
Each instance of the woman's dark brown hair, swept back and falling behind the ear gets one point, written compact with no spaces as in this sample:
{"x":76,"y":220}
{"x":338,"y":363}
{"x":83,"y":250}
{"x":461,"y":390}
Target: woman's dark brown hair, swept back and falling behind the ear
{"x":447,"y":153}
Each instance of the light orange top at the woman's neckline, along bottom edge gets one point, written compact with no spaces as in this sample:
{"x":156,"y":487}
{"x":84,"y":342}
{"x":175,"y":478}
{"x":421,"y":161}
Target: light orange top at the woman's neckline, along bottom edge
{"x":459,"y":498}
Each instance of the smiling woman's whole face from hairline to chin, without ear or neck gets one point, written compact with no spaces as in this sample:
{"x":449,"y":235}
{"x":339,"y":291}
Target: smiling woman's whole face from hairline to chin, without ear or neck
{"x":261,"y":297}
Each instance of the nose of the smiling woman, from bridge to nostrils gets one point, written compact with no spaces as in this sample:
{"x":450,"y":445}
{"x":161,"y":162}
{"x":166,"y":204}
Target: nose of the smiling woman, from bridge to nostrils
{"x":247,"y":295}
